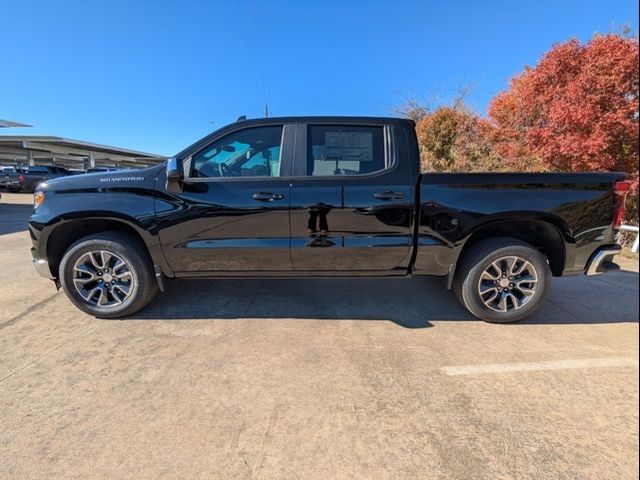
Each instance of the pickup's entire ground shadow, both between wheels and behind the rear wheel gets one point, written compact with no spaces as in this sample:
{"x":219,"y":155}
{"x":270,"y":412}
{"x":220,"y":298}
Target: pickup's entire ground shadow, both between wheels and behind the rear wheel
{"x":408,"y":302}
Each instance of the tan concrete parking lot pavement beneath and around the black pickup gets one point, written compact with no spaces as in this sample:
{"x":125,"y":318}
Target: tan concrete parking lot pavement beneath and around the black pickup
{"x":308,"y":379}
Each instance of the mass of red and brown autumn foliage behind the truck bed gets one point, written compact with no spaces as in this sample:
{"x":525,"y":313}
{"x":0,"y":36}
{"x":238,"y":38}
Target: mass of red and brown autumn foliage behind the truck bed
{"x":576,"y":110}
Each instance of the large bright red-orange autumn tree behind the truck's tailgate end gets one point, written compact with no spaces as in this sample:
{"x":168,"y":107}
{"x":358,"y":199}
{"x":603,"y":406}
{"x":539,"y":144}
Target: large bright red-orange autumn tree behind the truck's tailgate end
{"x":577,"y":110}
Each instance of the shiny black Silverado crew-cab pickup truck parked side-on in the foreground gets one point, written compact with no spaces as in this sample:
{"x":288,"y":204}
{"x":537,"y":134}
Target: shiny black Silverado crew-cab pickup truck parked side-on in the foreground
{"x":322,"y":196}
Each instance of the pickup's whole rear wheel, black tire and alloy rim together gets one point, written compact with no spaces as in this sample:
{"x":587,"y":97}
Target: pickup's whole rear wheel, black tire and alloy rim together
{"x":502,"y":280}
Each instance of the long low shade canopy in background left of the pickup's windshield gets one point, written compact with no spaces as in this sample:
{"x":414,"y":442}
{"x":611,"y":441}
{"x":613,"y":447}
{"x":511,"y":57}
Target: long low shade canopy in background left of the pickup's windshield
{"x":23,"y":150}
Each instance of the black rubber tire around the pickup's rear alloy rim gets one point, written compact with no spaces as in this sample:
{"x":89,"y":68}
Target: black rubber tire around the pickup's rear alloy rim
{"x":479,"y":258}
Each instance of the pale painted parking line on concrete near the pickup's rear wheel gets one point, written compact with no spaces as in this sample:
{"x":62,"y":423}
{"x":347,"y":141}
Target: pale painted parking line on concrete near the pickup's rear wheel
{"x":605,"y":362}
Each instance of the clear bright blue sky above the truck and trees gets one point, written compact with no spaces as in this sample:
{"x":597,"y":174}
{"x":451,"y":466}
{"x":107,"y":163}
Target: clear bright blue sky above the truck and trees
{"x":153,"y":75}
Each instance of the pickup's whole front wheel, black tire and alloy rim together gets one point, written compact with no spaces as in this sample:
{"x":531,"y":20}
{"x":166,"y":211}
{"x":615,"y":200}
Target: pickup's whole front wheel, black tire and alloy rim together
{"x":108,"y":275}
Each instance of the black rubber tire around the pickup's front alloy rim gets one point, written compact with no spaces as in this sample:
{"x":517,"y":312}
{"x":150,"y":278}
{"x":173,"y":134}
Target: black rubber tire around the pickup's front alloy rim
{"x":143,"y":283}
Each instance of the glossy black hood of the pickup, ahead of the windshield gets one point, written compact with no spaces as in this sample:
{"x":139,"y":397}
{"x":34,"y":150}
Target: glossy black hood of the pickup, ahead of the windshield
{"x":122,"y":179}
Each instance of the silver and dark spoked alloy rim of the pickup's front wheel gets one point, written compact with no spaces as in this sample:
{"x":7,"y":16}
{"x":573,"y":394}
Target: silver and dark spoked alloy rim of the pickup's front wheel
{"x":103,"y":278}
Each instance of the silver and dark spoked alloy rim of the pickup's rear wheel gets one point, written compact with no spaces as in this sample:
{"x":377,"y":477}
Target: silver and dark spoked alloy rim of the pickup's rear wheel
{"x":508,"y":284}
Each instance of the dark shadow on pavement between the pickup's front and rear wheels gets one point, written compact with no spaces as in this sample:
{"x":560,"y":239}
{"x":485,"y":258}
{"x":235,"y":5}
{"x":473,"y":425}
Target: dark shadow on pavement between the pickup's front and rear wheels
{"x":409,"y":302}
